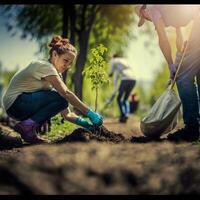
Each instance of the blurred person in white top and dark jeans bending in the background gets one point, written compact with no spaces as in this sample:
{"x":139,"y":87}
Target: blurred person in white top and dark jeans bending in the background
{"x":122,"y":70}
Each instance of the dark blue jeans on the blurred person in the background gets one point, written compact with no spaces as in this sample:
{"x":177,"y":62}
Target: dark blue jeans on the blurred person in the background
{"x":125,"y":89}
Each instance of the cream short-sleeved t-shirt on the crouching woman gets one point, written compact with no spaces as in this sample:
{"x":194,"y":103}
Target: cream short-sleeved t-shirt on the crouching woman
{"x":29,"y":79}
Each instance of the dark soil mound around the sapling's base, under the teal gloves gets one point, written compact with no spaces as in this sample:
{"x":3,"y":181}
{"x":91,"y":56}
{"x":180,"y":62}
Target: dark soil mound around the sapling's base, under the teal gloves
{"x":99,"y":134}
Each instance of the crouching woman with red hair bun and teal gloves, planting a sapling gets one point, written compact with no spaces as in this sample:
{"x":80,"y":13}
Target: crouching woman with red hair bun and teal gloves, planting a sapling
{"x":37,"y":93}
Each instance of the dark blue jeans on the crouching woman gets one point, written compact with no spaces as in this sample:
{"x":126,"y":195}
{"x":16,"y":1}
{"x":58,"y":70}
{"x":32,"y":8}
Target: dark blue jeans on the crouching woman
{"x":39,"y":106}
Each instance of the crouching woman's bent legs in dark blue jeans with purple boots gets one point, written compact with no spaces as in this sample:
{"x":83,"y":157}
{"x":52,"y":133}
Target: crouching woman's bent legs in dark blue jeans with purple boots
{"x":33,"y":109}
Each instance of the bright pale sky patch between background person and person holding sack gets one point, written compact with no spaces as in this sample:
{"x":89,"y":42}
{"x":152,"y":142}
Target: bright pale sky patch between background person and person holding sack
{"x":144,"y":62}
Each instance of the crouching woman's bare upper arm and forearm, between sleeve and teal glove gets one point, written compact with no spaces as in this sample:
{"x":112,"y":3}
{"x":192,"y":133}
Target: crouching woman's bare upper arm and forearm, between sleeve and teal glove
{"x":62,"y":89}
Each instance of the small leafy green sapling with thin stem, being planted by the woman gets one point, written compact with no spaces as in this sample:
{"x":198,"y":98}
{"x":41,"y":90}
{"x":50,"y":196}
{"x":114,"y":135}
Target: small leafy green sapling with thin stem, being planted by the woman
{"x":96,"y":69}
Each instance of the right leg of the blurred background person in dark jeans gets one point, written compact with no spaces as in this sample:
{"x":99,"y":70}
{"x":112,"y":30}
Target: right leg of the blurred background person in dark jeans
{"x":128,"y":88}
